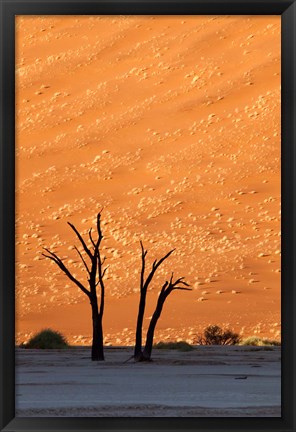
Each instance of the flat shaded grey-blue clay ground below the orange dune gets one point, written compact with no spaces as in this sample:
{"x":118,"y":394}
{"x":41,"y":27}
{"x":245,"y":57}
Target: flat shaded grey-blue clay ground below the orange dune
{"x":206,"y":382}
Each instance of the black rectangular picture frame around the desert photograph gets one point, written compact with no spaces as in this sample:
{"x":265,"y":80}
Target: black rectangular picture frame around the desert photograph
{"x":9,"y":9}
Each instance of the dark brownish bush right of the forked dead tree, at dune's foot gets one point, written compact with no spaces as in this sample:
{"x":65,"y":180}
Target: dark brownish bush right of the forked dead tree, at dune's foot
{"x":215,"y":335}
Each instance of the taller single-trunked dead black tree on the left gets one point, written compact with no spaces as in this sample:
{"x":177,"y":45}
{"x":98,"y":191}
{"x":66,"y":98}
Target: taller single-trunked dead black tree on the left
{"x":96,"y":275}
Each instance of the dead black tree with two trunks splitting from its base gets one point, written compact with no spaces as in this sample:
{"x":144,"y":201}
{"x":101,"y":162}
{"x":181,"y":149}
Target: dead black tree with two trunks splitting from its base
{"x":167,"y":288}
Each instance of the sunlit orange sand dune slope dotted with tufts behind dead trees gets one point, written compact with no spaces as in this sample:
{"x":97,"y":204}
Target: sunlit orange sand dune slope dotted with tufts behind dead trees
{"x":171,"y":125}
